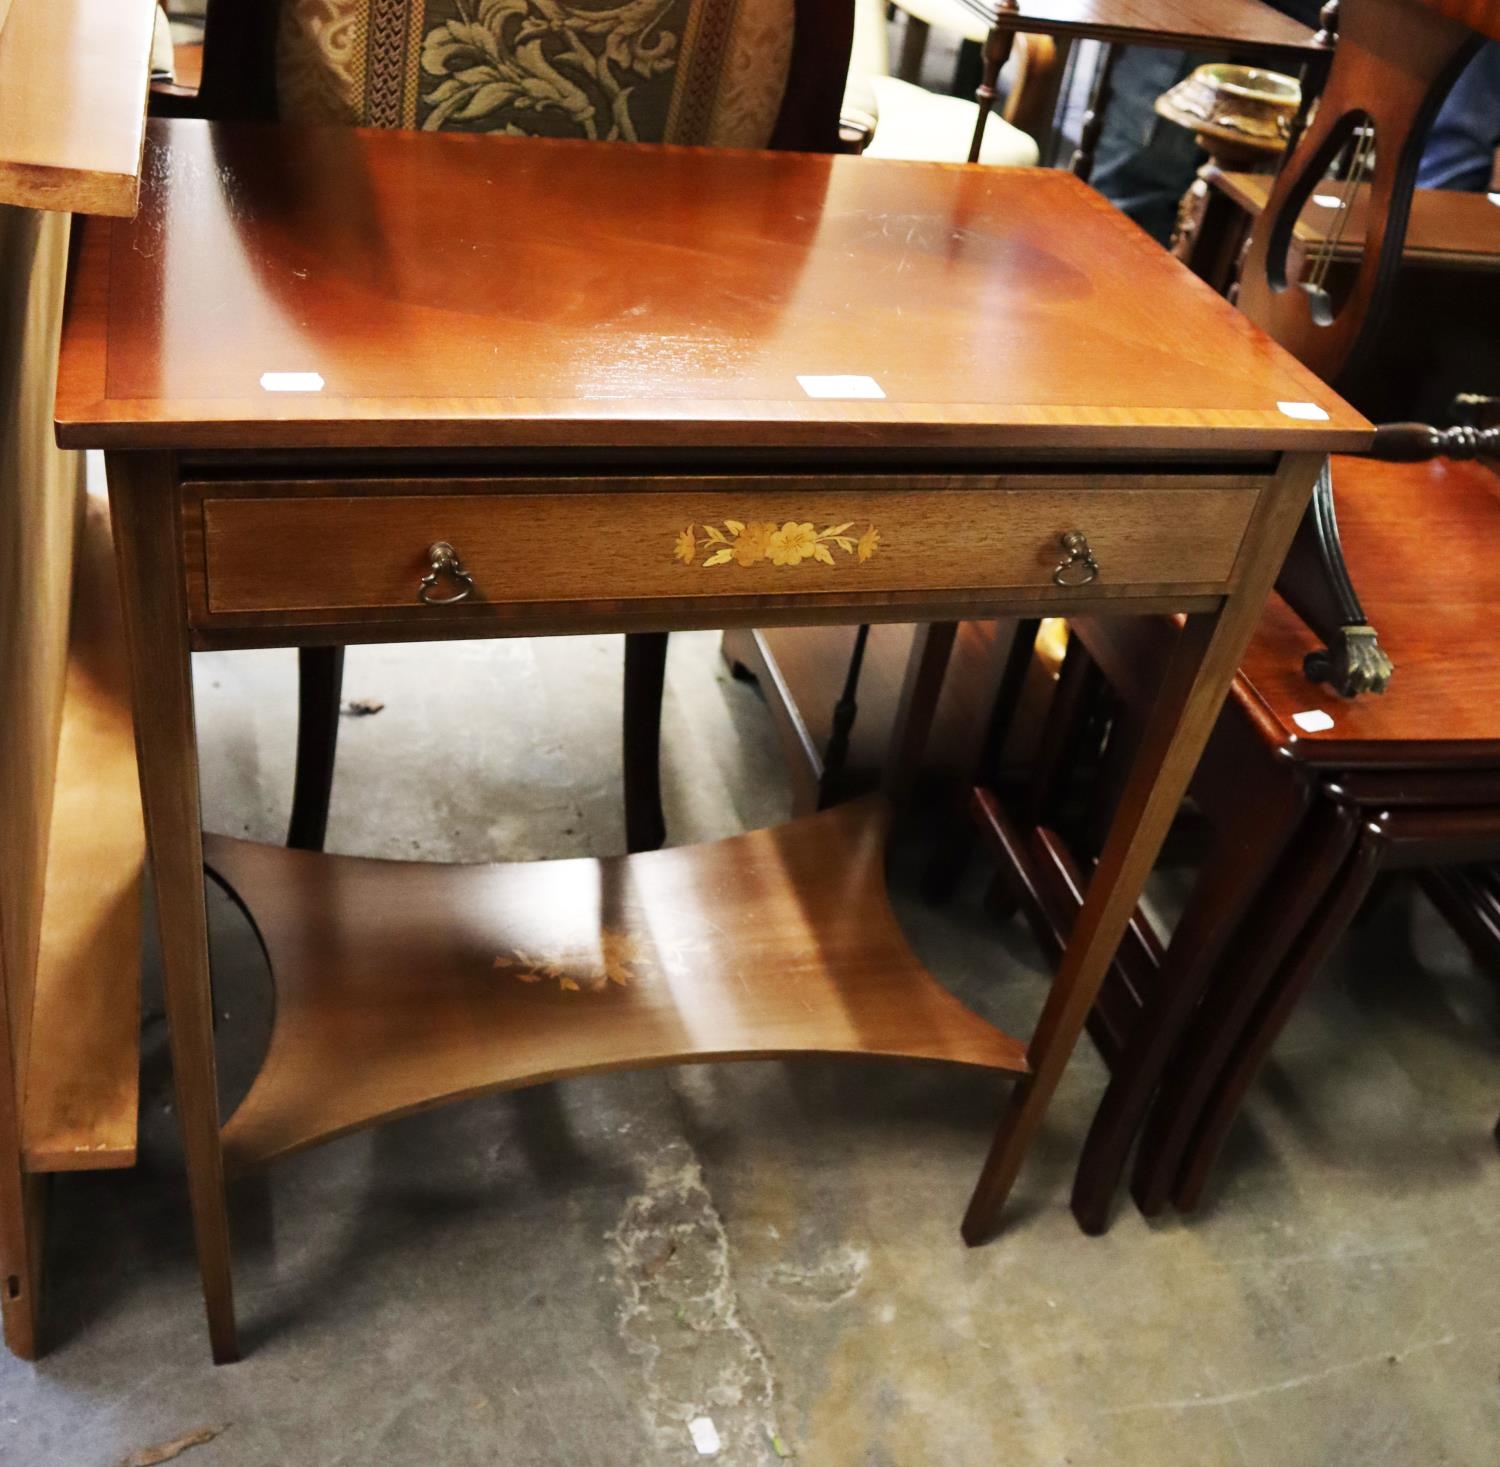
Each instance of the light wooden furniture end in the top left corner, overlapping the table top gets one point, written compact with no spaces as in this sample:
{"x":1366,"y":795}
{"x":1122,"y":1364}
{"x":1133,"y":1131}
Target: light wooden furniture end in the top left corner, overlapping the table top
{"x":73,"y":104}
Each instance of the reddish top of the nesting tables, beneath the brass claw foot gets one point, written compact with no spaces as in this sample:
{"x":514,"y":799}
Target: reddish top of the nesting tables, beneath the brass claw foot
{"x":1420,"y":541}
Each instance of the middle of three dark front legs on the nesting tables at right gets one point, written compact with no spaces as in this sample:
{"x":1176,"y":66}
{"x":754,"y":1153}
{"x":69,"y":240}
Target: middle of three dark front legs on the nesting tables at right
{"x":1288,"y":901}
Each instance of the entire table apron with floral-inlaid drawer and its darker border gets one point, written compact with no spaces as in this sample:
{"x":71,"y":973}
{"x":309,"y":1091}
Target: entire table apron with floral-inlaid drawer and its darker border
{"x":533,"y":556}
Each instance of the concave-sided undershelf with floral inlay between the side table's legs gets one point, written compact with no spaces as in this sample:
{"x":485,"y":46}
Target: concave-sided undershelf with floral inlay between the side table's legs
{"x":406,"y":985}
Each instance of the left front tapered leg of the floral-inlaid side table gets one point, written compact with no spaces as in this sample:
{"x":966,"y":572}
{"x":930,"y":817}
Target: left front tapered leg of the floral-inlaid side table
{"x":149,"y":553}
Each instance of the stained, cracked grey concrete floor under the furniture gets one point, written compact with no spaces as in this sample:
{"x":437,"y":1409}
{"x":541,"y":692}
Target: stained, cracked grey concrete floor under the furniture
{"x":571,"y":1276}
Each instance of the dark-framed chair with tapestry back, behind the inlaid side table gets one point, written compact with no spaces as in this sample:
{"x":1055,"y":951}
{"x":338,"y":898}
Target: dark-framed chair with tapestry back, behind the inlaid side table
{"x":712,"y":73}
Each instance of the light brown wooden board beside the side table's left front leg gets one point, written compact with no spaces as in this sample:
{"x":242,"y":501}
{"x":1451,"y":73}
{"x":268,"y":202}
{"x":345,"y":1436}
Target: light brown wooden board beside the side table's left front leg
{"x":83,"y":1072}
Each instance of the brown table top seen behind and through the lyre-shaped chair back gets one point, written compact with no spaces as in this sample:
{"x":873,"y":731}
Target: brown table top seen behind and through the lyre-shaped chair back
{"x":1459,"y":232}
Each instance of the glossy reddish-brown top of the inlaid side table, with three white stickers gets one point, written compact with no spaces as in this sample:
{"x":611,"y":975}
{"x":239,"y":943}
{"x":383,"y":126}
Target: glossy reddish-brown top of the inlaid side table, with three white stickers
{"x":383,"y":290}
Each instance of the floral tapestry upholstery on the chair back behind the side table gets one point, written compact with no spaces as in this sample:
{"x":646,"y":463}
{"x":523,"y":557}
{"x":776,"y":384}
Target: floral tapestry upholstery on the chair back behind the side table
{"x":640,"y":71}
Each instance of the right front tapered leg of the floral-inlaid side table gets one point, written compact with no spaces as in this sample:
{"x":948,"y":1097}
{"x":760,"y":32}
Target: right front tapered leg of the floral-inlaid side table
{"x":1193,"y":691}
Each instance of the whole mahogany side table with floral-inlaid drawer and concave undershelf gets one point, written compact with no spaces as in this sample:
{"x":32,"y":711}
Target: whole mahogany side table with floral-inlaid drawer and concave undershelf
{"x":368,"y":386}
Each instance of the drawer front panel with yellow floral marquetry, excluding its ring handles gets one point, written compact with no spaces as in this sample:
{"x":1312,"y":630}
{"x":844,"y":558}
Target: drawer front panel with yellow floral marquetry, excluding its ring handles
{"x":368,"y":551}
